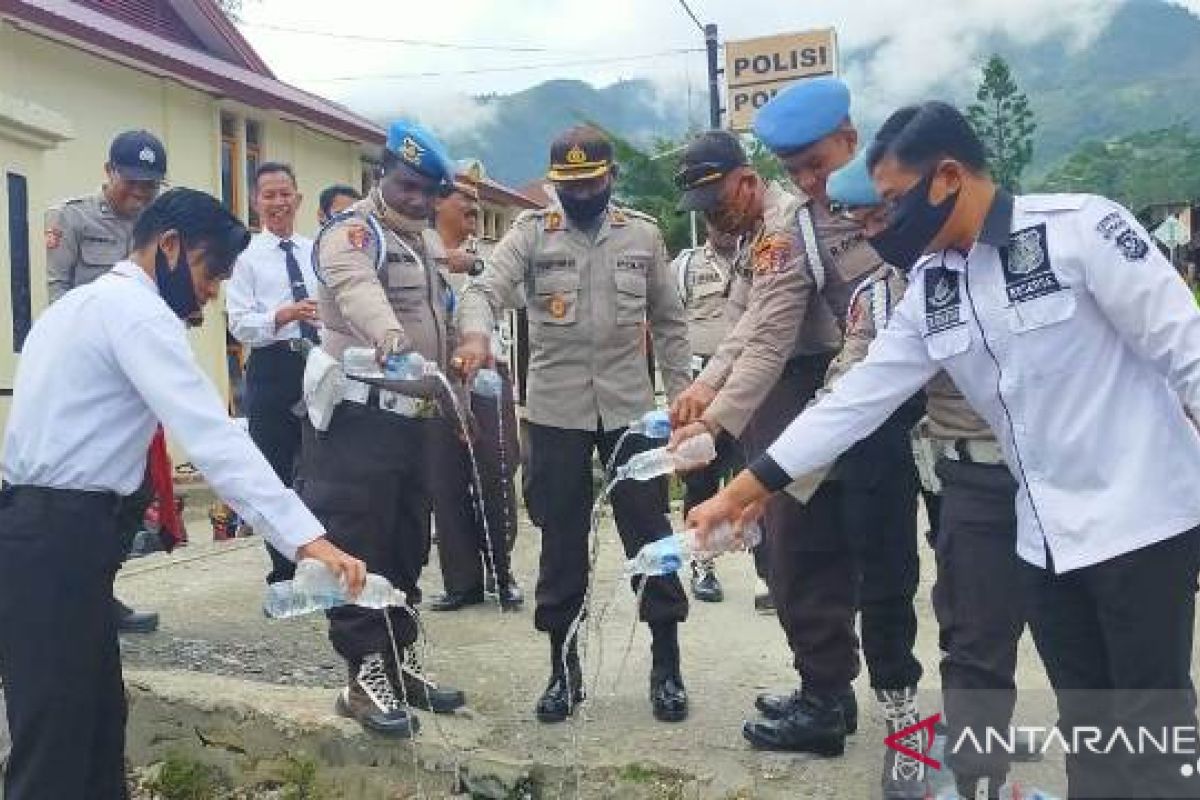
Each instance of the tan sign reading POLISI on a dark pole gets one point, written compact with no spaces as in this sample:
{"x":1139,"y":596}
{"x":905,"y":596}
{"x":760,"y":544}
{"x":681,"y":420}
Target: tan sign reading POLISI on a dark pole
{"x":758,"y":69}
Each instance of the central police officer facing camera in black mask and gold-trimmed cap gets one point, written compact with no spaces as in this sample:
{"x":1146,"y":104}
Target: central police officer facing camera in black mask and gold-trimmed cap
{"x":593,"y":274}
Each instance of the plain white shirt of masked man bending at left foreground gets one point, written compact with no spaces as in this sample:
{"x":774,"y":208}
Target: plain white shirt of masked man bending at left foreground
{"x":99,"y":370}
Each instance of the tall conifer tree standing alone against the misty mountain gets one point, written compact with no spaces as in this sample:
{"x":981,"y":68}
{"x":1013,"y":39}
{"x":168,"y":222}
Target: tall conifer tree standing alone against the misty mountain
{"x":1004,"y":121}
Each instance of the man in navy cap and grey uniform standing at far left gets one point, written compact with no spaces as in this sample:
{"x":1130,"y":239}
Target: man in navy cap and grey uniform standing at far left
{"x":85,"y":238}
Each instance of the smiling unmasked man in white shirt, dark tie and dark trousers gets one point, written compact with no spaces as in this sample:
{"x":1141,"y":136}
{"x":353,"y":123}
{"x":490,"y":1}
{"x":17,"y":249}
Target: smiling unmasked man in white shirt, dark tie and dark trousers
{"x":271,"y":302}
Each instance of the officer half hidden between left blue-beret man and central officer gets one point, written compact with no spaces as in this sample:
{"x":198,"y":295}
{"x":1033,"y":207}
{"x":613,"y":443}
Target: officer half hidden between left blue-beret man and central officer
{"x":475,"y":550}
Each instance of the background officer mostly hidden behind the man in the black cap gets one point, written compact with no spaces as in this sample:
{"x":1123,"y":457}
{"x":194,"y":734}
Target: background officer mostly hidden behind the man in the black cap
{"x":704,"y":276}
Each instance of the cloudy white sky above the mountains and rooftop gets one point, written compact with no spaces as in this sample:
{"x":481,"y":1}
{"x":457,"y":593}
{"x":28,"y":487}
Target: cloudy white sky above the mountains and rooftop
{"x":446,"y":52}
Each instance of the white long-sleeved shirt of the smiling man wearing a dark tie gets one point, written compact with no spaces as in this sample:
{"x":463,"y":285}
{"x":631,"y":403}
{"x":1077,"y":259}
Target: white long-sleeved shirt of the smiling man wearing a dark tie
{"x":260,"y":287}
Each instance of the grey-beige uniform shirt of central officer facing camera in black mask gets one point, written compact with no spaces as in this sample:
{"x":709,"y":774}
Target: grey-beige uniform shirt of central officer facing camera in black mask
{"x":589,"y":302}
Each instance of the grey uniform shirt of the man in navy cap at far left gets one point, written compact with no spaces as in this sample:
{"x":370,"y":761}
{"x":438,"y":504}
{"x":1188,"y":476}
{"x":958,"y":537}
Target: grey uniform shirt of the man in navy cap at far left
{"x":85,"y":239}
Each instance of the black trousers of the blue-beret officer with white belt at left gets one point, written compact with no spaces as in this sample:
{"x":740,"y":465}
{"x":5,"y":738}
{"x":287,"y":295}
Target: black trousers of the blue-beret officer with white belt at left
{"x":365,"y":482}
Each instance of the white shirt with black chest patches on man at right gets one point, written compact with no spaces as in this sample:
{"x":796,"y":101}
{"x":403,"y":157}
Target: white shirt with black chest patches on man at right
{"x":1077,"y":352}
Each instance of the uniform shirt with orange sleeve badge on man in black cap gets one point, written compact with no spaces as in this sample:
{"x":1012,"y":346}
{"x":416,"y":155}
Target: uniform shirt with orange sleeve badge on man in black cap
{"x":784,"y":317}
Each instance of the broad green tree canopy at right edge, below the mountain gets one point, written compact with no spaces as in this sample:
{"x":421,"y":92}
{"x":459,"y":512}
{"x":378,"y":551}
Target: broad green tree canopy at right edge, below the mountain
{"x":1136,"y":171}
